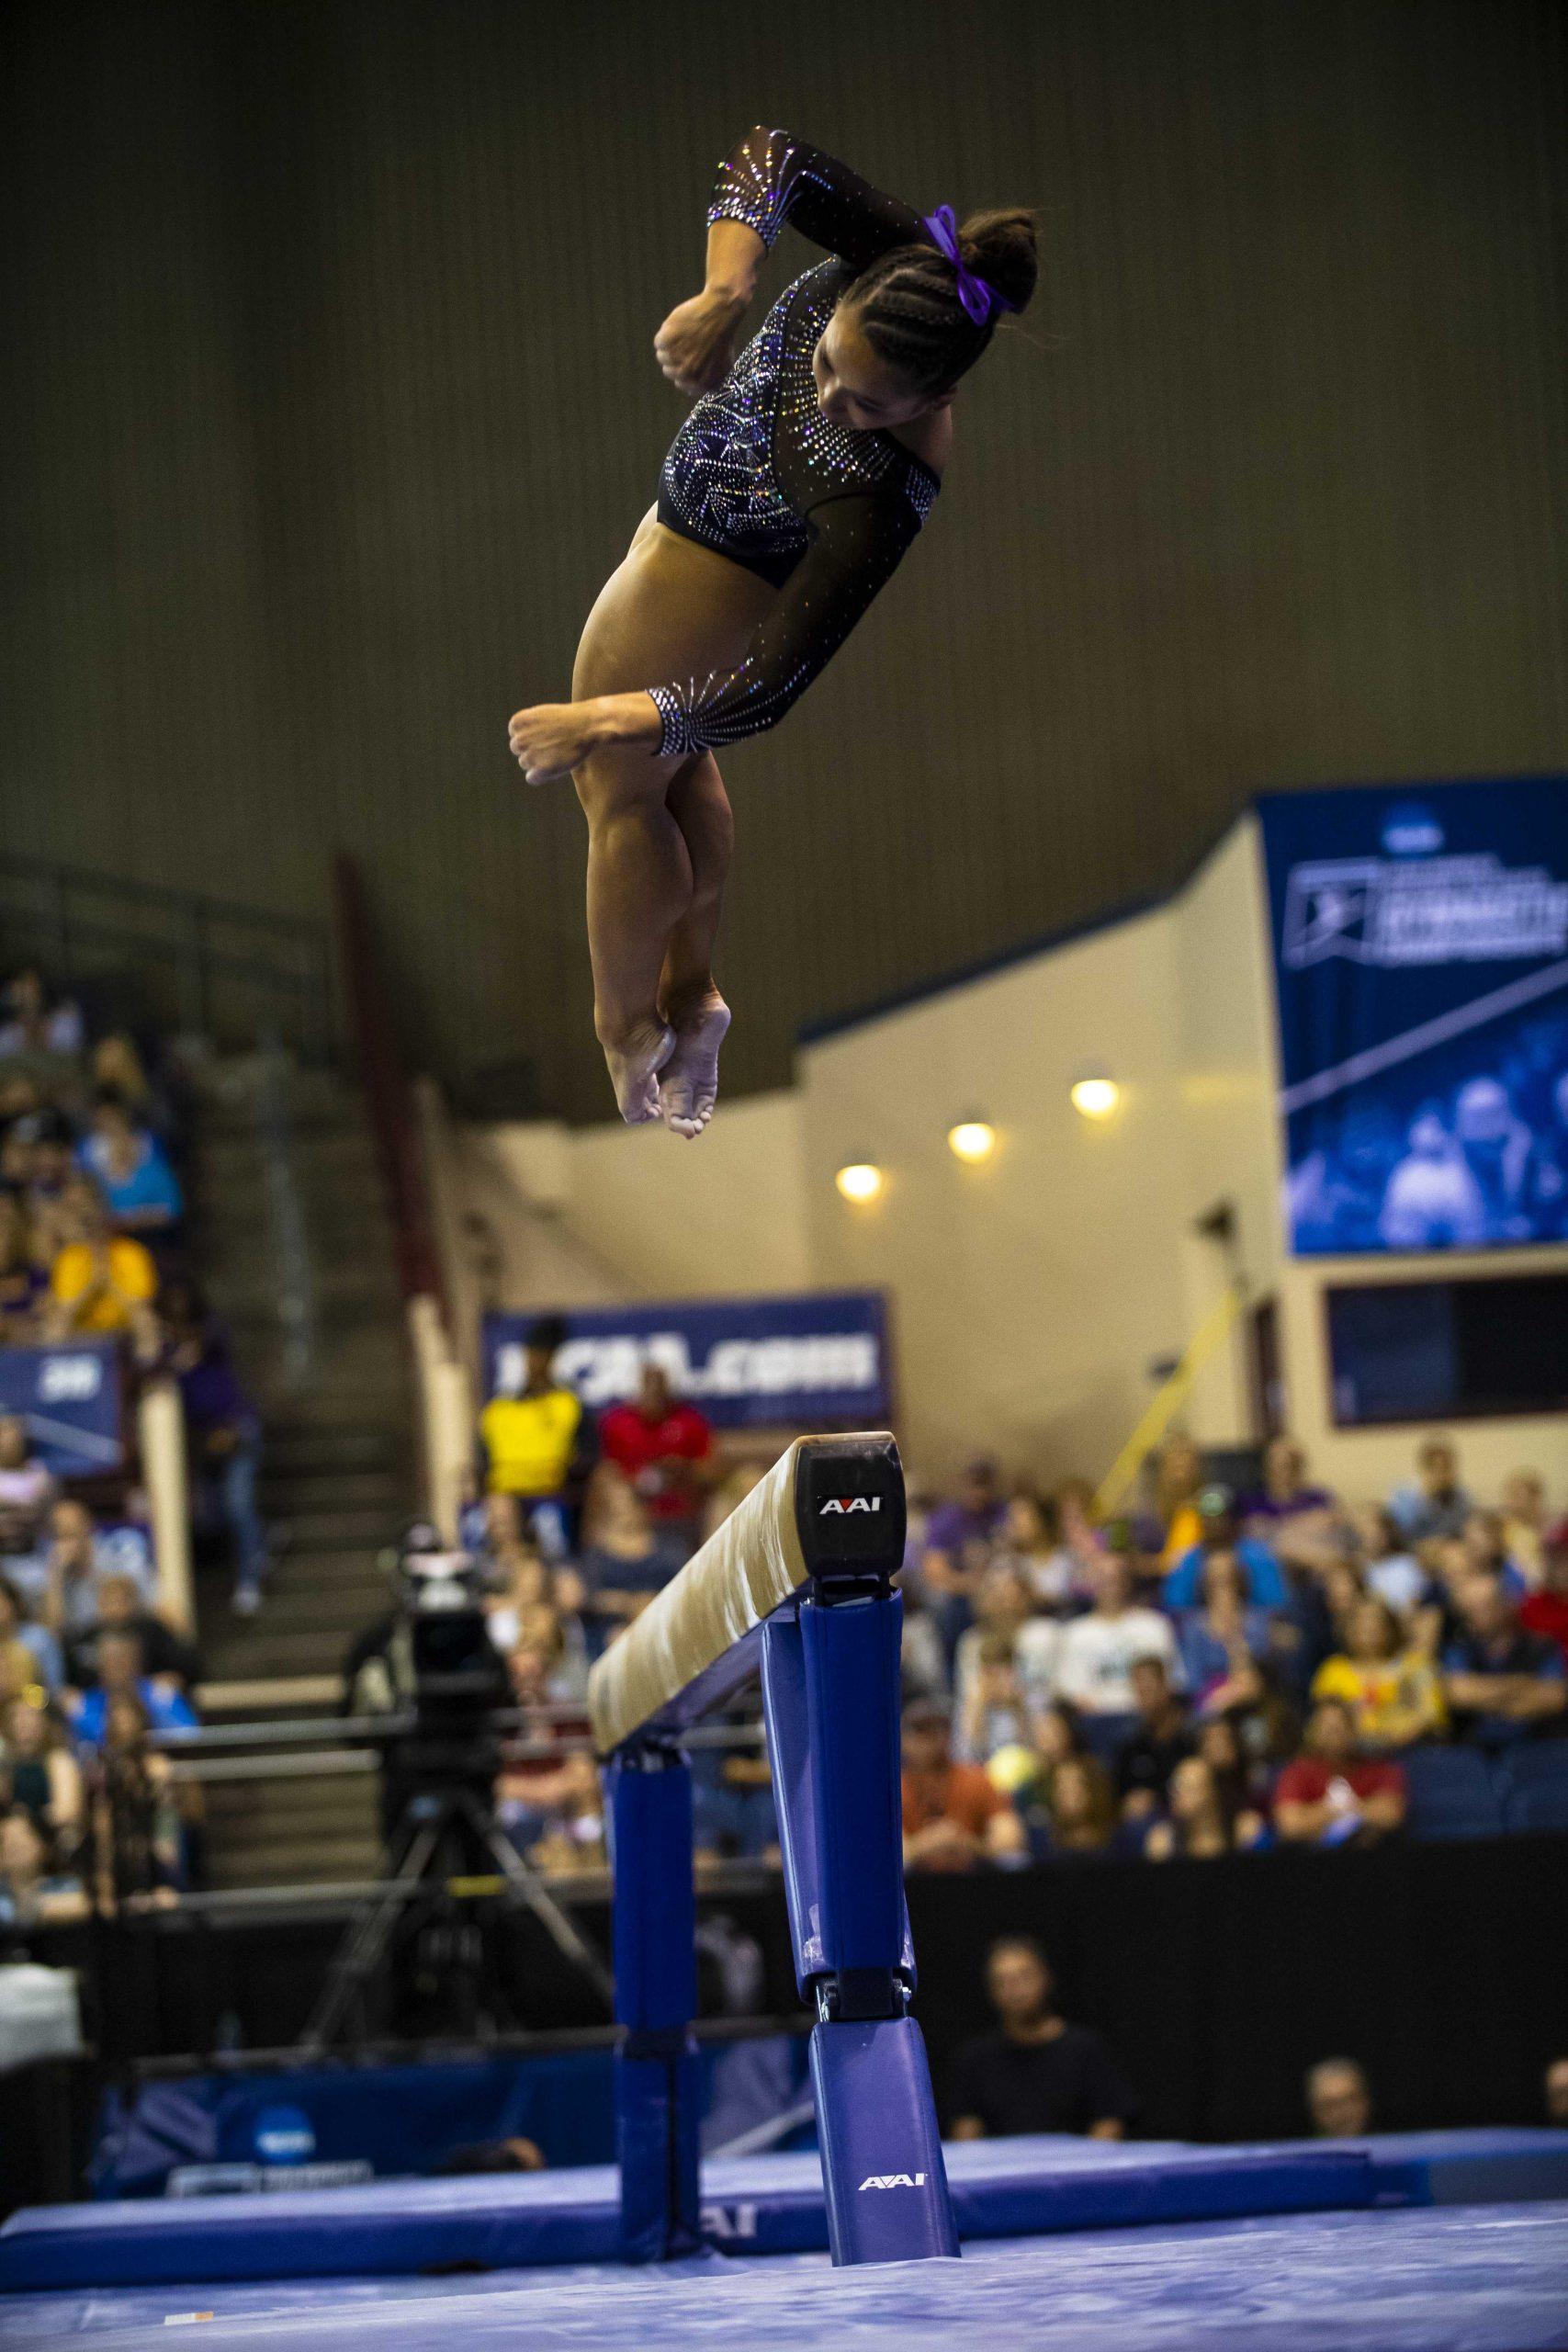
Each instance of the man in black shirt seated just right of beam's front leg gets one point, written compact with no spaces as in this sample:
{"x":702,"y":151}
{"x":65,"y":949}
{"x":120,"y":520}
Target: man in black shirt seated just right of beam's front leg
{"x":1038,"y":2073}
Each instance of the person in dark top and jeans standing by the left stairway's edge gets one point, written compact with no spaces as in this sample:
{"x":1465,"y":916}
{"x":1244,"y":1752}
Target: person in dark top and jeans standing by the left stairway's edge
{"x":222,"y":1436}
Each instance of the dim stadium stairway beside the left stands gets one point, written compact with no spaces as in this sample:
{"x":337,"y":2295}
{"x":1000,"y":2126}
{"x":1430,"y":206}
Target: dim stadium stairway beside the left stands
{"x":295,"y":1248}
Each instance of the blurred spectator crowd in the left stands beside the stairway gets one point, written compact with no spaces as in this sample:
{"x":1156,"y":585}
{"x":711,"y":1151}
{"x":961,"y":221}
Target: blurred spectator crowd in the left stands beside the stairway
{"x":93,"y":1248}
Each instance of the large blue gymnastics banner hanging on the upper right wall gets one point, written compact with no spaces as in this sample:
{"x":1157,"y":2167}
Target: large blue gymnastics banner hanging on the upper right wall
{"x":1421,"y":968}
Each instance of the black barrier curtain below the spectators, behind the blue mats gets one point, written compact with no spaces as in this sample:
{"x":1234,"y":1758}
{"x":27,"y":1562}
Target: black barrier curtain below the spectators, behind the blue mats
{"x":1217,"y":1984}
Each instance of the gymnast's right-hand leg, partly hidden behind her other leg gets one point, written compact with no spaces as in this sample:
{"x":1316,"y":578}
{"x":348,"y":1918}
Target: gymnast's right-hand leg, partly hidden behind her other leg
{"x":688,"y":991}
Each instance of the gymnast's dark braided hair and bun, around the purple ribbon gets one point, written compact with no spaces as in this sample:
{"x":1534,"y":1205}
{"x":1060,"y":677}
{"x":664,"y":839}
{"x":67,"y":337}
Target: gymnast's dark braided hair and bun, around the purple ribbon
{"x":909,"y":307}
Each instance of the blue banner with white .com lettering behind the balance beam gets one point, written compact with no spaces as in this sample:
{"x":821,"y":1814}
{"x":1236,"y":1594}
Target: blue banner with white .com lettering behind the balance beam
{"x":812,"y":1361}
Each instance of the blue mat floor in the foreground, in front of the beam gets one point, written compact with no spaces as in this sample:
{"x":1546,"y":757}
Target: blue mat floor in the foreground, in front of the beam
{"x":1416,"y":2280}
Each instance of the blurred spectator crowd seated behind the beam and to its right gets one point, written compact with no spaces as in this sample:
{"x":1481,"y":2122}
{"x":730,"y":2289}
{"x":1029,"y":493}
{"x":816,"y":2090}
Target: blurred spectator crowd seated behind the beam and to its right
{"x":1207,"y":1673}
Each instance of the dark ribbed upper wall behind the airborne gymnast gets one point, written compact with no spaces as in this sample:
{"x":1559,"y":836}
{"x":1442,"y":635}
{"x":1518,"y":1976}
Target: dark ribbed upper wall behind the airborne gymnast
{"x":330,"y":406}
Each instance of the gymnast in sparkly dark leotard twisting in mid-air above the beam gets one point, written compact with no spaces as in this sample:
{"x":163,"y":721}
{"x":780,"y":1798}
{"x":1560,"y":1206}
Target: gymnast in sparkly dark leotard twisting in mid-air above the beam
{"x":793,"y":488}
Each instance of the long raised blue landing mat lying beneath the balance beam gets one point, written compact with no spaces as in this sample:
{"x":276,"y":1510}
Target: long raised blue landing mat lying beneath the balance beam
{"x":751,"y":2205}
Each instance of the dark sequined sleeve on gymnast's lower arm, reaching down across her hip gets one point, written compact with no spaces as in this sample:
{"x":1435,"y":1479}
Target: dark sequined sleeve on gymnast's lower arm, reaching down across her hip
{"x":857,"y":544}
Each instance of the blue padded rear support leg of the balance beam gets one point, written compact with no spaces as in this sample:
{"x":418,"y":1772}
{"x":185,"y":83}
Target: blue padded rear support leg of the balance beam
{"x":655,"y":1944}
